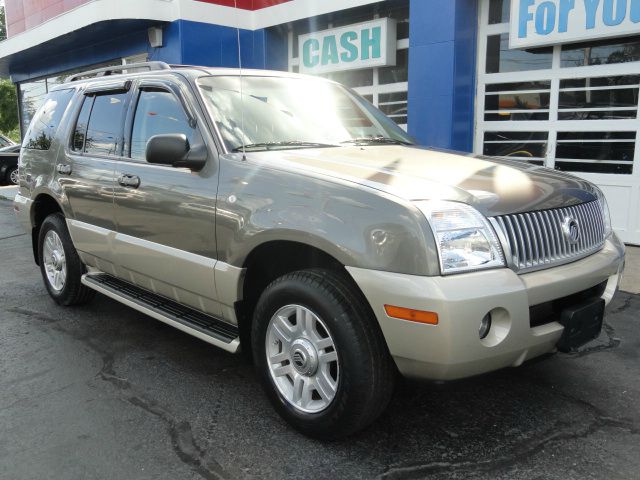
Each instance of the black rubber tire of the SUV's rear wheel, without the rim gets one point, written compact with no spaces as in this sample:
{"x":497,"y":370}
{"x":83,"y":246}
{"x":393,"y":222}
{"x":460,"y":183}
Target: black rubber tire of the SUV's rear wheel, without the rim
{"x":73,"y":292}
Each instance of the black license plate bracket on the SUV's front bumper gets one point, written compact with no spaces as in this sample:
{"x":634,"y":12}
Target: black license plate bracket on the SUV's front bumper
{"x":582,"y":323}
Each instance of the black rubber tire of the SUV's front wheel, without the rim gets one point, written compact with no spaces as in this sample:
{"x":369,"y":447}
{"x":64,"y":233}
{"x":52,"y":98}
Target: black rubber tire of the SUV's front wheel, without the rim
{"x":367,"y":372}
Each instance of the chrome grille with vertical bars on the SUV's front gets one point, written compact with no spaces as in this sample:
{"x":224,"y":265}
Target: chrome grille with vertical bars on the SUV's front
{"x":535,"y":240}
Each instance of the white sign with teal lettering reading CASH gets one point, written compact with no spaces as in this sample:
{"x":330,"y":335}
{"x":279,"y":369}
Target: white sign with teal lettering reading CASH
{"x":365,"y":45}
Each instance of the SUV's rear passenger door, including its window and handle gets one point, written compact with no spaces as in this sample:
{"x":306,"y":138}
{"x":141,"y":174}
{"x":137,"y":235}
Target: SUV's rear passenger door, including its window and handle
{"x":86,"y":171}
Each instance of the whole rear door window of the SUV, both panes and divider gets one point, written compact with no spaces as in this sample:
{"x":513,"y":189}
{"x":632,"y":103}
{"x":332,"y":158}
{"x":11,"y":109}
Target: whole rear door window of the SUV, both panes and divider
{"x":99,"y":125}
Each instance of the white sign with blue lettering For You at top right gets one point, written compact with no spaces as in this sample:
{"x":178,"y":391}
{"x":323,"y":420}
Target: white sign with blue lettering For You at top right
{"x":548,"y":22}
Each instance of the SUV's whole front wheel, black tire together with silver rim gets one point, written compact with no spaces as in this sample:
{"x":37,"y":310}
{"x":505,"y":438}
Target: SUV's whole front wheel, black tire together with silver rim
{"x":354,"y":375}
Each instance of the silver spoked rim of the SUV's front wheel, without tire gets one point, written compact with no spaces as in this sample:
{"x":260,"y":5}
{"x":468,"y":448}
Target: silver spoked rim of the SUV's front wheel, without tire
{"x":302,"y":359}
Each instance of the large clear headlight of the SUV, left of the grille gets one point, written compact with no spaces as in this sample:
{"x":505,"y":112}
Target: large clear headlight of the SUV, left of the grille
{"x":466,"y":240}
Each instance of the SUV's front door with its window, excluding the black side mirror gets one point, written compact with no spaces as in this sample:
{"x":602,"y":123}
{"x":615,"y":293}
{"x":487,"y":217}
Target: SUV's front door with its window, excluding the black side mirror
{"x":165,"y":216}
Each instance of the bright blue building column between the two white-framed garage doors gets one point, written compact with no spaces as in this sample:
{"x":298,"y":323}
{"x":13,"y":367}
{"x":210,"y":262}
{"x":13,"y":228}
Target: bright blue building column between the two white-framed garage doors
{"x":442,"y":72}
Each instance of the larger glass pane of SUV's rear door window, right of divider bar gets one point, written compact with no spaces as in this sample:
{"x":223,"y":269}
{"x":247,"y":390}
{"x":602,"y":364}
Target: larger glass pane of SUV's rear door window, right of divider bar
{"x":105,"y":125}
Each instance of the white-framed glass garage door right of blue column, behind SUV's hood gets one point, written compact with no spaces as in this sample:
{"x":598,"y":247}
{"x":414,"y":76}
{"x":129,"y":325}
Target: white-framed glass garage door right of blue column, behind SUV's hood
{"x":572,"y":107}
